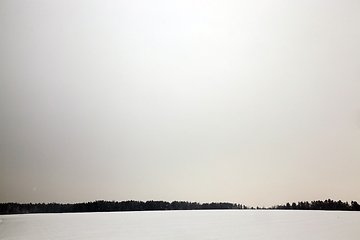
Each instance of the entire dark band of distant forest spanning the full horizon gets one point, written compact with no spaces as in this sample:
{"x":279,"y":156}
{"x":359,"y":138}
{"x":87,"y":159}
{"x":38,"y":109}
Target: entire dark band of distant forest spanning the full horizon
{"x":110,"y":206}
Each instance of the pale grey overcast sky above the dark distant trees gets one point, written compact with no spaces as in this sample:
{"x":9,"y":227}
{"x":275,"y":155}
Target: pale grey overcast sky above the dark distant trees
{"x":255,"y":102}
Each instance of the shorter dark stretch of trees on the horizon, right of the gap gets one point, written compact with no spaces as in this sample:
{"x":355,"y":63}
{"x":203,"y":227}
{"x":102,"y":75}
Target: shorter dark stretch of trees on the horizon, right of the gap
{"x":321,"y":205}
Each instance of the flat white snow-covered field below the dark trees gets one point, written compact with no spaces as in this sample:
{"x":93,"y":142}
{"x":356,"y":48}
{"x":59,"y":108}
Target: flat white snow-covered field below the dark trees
{"x":191,"y":224}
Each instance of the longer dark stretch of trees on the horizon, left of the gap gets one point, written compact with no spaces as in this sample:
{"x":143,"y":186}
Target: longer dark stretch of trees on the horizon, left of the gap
{"x":109,"y":206}
